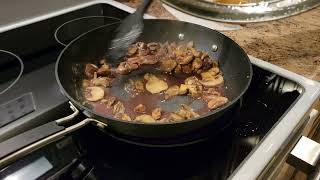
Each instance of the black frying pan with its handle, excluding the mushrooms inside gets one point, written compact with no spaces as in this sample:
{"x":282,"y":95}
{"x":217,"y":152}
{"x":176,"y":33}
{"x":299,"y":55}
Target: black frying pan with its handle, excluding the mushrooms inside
{"x":91,"y":46}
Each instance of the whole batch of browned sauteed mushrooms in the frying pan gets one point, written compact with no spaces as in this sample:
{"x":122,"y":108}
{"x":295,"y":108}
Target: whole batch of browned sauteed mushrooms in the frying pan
{"x":185,"y":71}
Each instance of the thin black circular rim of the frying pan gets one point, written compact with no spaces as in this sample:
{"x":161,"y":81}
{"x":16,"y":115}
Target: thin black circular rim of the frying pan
{"x":216,"y":111}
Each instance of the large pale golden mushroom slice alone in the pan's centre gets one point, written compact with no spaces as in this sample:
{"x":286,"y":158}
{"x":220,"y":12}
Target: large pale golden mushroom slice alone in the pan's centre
{"x":155,"y":85}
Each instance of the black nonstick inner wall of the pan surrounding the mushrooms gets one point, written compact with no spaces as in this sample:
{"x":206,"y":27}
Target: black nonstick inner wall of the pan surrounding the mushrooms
{"x":90,"y":48}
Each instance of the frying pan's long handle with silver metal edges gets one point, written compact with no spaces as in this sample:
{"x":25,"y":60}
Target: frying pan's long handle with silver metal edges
{"x":29,"y":141}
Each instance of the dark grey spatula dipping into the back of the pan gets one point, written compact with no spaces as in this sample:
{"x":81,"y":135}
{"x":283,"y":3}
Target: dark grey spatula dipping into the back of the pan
{"x":126,"y":34}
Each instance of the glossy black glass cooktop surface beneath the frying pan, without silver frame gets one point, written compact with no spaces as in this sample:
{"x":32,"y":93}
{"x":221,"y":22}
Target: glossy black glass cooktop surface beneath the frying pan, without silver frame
{"x":104,"y":157}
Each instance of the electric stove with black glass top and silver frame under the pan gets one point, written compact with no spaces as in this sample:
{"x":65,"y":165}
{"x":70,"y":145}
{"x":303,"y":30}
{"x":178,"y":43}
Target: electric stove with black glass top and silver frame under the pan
{"x":277,"y":109}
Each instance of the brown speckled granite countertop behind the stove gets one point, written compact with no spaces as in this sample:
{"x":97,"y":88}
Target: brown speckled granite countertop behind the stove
{"x":292,"y":43}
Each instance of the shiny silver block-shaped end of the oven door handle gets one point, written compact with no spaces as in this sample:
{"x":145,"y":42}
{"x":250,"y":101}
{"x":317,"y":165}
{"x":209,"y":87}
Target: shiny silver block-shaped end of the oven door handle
{"x":305,"y":156}
